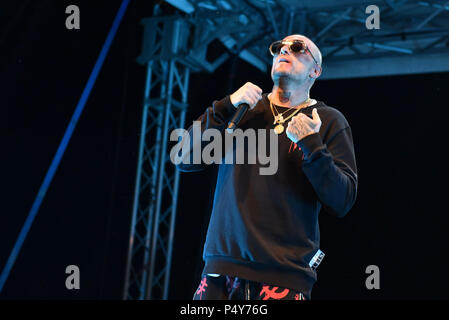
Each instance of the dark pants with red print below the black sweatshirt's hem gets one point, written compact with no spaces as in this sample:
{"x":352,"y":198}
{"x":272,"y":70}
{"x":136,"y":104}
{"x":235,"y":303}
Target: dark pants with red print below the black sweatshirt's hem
{"x":232,"y":288}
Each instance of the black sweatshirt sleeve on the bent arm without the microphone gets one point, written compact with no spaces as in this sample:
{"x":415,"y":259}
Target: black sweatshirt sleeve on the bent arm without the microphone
{"x":331,"y":169}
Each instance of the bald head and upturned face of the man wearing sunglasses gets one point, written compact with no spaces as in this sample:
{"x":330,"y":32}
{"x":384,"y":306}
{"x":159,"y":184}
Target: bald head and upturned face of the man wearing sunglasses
{"x":296,"y":66}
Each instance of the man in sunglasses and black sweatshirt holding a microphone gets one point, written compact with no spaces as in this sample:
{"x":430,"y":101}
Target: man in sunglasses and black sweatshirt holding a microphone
{"x":263,"y":237}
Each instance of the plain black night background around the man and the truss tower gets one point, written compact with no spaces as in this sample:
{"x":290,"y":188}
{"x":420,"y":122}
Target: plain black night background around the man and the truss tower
{"x":399,"y":221}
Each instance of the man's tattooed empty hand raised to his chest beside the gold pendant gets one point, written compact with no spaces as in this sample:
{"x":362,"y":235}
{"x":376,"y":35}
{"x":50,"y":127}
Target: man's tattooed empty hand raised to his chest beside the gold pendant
{"x":301,"y":126}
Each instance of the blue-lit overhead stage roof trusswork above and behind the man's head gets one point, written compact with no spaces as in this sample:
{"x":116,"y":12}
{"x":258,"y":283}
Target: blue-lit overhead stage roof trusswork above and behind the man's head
{"x":413,"y":35}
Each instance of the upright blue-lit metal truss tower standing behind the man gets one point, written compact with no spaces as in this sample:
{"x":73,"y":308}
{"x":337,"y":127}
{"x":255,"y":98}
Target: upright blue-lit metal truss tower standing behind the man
{"x":157,"y":180}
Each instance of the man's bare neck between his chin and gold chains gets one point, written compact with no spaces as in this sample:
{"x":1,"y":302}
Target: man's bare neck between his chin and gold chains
{"x":287,"y":95}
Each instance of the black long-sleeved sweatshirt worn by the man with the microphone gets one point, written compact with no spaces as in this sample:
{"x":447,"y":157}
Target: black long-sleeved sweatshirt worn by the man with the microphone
{"x":264,"y":228}
